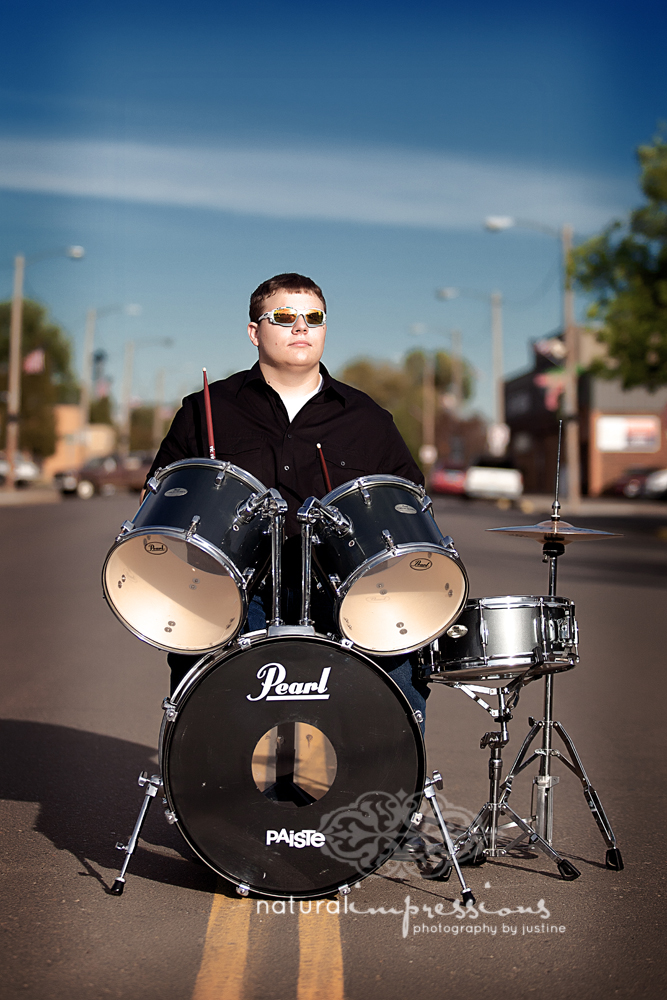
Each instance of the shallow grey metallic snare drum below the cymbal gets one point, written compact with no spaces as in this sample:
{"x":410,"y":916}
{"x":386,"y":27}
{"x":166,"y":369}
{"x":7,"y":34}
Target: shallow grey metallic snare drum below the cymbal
{"x":501,"y":638}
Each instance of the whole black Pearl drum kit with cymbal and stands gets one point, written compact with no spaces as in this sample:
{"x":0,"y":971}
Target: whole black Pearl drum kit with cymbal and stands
{"x":290,"y":761}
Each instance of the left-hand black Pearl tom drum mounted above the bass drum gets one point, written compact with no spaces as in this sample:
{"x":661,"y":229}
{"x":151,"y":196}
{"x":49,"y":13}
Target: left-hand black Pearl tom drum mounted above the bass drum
{"x":180,"y":575}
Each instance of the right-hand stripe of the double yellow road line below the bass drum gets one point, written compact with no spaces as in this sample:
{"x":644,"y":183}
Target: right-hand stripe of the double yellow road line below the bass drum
{"x":320,"y":956}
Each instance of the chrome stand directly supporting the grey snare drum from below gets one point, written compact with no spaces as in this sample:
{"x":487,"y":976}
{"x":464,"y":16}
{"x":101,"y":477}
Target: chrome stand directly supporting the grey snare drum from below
{"x":485,"y":826}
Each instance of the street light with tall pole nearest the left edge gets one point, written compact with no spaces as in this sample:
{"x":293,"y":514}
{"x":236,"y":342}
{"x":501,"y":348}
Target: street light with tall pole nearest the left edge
{"x":15,"y":351}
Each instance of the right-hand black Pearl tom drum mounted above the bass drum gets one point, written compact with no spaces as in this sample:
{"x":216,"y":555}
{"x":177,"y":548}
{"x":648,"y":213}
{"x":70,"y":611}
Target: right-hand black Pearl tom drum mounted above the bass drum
{"x":397,"y":580}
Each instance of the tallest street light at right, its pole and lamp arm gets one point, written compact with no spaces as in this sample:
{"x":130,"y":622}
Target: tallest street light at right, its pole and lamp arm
{"x":498,"y":223}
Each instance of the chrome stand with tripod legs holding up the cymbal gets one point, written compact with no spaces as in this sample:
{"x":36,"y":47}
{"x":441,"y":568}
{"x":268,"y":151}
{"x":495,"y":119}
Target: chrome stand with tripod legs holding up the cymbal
{"x":543,"y":783}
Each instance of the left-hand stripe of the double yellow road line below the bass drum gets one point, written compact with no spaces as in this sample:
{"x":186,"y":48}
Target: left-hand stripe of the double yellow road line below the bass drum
{"x":223,"y":963}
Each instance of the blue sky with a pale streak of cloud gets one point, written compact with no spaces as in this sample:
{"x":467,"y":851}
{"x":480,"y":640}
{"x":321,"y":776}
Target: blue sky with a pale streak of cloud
{"x":194,"y":150}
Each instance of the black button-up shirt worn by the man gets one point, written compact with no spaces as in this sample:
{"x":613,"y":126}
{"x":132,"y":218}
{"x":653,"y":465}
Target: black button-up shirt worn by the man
{"x":252,"y":430}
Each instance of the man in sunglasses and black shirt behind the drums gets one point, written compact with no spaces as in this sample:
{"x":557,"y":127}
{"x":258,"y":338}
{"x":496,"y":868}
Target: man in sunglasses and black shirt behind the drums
{"x":269,"y":421}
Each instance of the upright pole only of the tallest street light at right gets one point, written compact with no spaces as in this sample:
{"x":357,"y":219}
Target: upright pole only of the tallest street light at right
{"x":571,"y":376}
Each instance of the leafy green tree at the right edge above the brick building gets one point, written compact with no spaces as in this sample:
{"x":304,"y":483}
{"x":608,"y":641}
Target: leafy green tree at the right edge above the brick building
{"x":625,"y":267}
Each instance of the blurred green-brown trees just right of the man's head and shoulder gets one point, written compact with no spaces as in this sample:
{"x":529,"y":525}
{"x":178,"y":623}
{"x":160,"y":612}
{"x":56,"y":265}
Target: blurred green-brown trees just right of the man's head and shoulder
{"x":398,"y":387}
